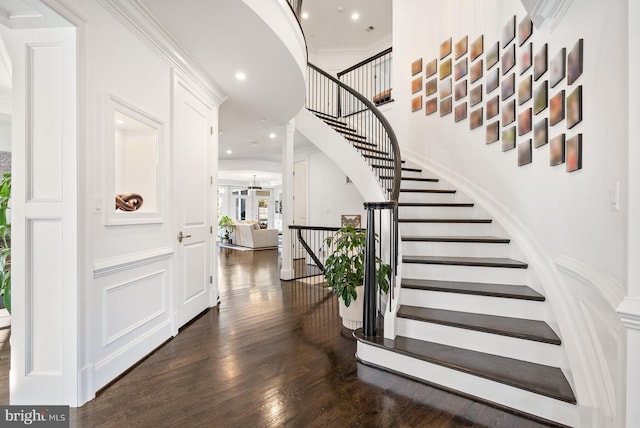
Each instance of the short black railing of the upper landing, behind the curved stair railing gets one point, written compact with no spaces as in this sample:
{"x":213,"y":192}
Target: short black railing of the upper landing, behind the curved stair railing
{"x":371,"y":77}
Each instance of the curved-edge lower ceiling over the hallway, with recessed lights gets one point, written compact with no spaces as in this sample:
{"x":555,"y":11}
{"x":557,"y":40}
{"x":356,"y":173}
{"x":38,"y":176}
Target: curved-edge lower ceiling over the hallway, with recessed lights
{"x":225,"y":37}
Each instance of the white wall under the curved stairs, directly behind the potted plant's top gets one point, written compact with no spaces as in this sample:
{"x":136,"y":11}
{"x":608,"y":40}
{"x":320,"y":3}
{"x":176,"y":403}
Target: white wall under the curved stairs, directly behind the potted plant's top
{"x":330,"y":195}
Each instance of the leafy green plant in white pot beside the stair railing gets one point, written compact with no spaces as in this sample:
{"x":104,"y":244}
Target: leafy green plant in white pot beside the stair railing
{"x":344,"y":273}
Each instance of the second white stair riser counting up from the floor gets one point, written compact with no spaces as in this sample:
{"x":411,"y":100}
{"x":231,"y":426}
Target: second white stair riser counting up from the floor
{"x":520,"y":349}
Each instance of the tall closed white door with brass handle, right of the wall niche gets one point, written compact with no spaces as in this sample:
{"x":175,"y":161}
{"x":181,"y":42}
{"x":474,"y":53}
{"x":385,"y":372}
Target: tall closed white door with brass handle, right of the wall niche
{"x":192,"y":156}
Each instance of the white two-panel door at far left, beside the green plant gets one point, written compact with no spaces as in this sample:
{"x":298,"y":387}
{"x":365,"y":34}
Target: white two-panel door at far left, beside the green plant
{"x":44,"y":332}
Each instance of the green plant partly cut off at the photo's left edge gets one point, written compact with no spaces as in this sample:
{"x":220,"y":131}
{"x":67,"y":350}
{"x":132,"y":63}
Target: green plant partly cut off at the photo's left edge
{"x":5,"y":241}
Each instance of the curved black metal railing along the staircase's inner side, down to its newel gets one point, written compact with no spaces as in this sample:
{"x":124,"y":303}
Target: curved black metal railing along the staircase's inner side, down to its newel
{"x":362,"y":125}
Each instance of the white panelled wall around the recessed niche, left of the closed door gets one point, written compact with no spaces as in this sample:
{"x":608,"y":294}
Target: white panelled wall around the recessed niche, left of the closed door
{"x":127,"y":295}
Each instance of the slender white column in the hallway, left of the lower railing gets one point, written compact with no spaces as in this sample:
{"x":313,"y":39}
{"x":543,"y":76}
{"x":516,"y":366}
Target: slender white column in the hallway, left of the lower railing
{"x":287,"y":202}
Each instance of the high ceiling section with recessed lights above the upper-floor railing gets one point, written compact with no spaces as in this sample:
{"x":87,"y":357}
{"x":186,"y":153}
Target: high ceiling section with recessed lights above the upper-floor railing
{"x":329,"y":25}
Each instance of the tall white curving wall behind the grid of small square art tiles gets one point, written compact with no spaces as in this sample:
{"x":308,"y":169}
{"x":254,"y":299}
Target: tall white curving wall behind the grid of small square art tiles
{"x":564,"y":221}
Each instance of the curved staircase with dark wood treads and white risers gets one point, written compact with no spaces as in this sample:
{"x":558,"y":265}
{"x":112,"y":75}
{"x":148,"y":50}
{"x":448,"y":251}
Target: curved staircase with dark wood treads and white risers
{"x":465,"y":316}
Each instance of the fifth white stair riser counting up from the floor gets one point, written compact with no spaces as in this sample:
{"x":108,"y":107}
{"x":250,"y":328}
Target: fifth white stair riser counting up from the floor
{"x":462,"y":249}
